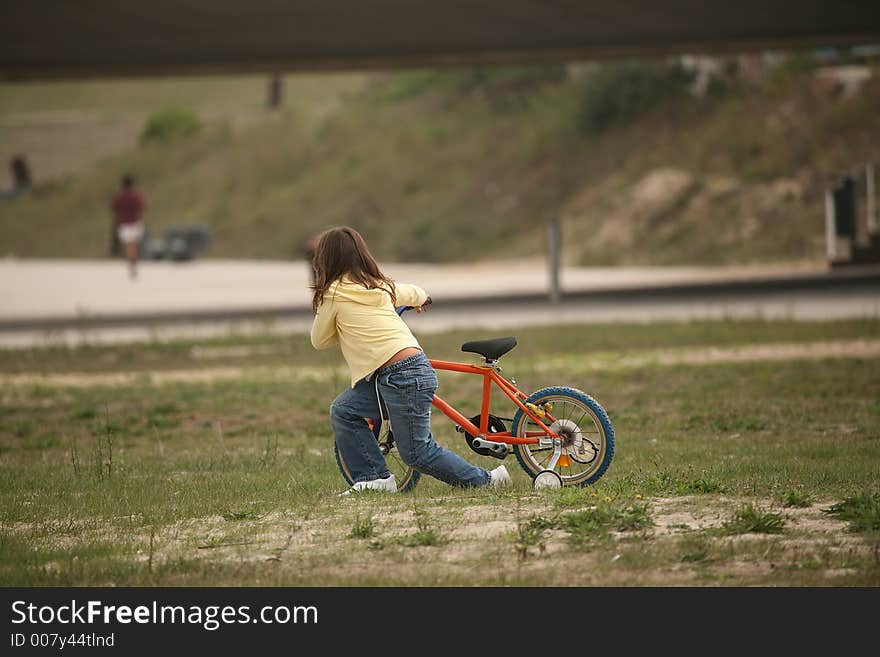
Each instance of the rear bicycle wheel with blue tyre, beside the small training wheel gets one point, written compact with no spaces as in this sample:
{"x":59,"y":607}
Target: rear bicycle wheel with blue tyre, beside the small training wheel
{"x":585,"y":429}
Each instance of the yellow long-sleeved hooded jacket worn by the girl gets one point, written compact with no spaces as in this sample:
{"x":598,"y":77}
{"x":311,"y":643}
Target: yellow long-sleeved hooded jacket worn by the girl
{"x":365,"y":324}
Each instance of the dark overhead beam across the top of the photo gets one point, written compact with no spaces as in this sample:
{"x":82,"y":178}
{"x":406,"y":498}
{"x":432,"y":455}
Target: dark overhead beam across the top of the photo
{"x":55,"y":39}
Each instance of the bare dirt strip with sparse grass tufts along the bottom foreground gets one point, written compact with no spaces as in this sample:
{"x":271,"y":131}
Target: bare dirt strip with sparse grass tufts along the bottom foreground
{"x":481,"y":544}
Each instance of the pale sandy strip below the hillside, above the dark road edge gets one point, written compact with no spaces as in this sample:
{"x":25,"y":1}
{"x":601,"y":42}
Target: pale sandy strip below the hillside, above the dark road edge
{"x":93,"y":288}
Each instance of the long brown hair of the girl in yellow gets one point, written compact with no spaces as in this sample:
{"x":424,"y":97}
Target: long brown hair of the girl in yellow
{"x":341,"y":251}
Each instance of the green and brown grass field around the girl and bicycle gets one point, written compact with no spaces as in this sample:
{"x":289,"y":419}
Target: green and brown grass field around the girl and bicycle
{"x":745,"y":455}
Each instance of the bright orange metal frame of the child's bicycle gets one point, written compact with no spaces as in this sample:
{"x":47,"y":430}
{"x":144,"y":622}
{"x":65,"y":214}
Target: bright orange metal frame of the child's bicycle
{"x":490,"y":376}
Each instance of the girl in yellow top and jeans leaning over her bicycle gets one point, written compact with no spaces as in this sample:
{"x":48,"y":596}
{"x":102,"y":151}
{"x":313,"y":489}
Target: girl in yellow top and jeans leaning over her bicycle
{"x":354,"y":305}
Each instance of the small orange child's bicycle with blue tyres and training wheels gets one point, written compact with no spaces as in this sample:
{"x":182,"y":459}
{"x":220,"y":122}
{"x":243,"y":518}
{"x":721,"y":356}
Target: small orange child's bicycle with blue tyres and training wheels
{"x":560,"y":435}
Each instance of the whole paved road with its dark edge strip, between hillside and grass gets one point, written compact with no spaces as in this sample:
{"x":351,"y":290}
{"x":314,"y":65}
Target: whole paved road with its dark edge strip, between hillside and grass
{"x":49,"y":302}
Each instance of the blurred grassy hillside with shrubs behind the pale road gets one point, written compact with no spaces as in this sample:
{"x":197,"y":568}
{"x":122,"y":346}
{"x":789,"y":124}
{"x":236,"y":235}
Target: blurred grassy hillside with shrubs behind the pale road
{"x":450,"y":165}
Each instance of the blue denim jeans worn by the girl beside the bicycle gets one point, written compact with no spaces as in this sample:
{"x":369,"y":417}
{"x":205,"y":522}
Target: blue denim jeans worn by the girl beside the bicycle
{"x":407,"y":388}
